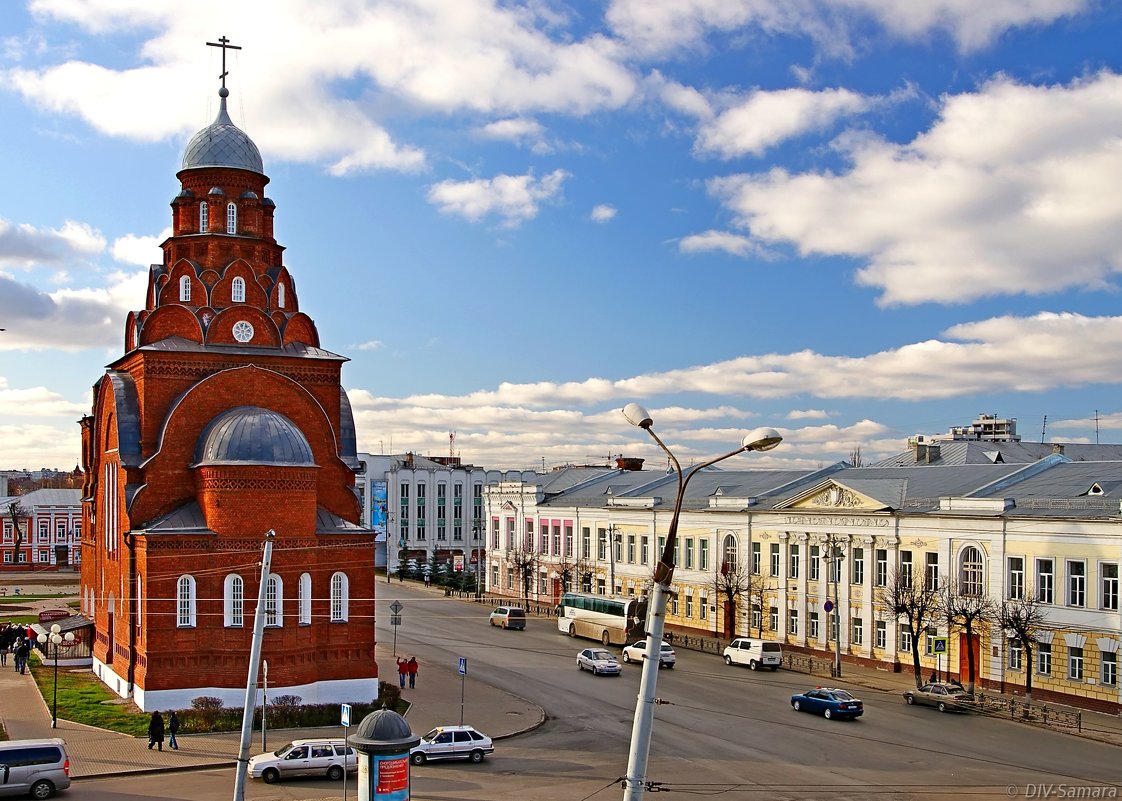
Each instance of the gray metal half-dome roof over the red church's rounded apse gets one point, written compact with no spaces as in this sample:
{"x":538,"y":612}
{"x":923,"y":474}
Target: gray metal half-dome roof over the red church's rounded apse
{"x":255,"y":436}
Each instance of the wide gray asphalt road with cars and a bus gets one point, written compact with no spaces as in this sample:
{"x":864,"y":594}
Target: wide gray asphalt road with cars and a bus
{"x":724,"y":732}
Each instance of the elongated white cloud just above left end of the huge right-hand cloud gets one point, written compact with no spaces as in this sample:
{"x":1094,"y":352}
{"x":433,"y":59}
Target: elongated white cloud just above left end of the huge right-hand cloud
{"x":766,"y":119}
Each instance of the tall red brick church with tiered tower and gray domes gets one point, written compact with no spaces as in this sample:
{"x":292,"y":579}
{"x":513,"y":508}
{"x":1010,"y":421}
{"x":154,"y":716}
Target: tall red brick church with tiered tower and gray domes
{"x":224,"y":420}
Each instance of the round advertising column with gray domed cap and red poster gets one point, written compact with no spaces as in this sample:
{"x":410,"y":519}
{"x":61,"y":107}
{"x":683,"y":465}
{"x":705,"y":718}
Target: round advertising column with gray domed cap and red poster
{"x":383,"y":741}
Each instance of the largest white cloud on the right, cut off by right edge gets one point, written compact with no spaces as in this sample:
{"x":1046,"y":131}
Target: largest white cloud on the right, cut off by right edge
{"x":1011,"y":191}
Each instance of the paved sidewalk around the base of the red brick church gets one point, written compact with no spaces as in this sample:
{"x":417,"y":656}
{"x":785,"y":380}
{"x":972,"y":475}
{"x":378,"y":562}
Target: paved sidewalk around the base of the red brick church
{"x":97,"y":752}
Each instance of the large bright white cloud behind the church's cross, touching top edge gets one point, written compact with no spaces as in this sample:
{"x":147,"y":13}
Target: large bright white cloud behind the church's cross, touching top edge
{"x":472,"y":56}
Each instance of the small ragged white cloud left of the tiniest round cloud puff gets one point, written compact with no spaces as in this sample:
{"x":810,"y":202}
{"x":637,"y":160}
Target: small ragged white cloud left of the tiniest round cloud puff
{"x":514,"y":199}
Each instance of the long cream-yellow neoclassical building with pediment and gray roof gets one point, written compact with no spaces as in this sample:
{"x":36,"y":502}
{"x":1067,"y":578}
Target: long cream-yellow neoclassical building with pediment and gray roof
{"x":1052,"y":528}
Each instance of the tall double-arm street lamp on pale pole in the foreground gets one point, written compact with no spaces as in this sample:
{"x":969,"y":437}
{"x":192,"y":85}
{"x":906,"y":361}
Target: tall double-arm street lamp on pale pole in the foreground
{"x":759,"y":440}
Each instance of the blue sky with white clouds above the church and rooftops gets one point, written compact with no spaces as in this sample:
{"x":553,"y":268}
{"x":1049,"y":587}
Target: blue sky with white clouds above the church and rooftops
{"x":850,"y":220}
